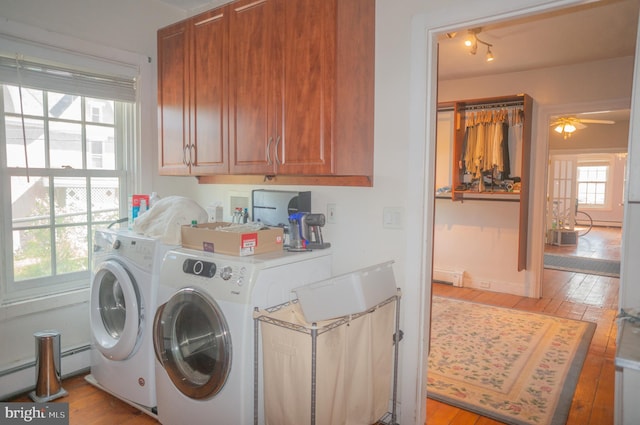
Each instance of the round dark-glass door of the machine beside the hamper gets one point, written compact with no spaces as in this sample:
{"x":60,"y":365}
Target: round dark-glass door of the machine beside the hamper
{"x":193,"y":343}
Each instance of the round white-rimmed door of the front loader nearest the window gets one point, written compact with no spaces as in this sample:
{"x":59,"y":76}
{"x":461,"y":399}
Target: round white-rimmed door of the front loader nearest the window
{"x":116,"y":313}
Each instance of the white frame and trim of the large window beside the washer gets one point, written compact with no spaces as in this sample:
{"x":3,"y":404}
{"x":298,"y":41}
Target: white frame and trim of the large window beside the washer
{"x":124,"y":64}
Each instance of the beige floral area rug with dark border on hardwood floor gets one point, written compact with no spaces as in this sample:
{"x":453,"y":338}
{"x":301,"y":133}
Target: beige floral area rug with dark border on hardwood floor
{"x":513,"y":366}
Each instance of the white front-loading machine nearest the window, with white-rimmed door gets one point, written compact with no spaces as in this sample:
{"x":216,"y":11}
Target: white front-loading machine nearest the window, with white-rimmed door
{"x":124,"y":292}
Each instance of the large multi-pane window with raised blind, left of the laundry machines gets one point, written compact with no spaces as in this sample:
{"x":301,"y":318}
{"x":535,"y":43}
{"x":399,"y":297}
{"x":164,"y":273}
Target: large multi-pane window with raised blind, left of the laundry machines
{"x":64,"y":170}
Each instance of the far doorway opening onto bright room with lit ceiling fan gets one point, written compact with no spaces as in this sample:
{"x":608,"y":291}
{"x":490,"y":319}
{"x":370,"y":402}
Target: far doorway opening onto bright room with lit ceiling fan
{"x":586,"y":180}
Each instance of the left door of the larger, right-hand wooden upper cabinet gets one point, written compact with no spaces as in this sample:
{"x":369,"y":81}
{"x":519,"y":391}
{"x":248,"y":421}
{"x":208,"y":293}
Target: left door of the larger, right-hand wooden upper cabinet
{"x":252,"y":83}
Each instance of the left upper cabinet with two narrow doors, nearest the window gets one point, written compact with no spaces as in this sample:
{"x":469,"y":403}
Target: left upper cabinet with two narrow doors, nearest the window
{"x":192,"y":95}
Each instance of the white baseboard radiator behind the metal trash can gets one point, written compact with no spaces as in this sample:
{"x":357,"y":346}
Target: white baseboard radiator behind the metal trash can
{"x":21,"y":379}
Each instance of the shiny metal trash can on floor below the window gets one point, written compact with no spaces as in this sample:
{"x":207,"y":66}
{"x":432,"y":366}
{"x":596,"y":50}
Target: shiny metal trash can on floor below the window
{"x":48,"y":372}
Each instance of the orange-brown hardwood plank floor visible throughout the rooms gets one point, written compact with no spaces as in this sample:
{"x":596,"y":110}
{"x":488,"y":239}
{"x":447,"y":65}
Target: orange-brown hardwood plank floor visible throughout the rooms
{"x":565,"y":294}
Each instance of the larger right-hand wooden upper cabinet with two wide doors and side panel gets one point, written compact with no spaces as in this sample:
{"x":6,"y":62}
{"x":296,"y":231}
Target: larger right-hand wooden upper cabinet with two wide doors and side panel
{"x":301,"y":87}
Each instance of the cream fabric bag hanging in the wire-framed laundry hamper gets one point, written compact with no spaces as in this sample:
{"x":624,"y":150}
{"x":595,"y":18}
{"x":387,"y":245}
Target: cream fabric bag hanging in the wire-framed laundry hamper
{"x":353,"y":369}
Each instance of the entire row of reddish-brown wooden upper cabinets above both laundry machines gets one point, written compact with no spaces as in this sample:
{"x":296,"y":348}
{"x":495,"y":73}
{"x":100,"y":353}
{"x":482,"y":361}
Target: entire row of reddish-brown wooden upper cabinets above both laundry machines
{"x":277,"y":88}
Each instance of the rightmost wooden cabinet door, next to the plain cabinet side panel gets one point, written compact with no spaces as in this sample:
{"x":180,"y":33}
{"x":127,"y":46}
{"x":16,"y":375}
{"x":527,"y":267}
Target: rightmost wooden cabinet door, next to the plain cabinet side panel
{"x":305,"y":116}
